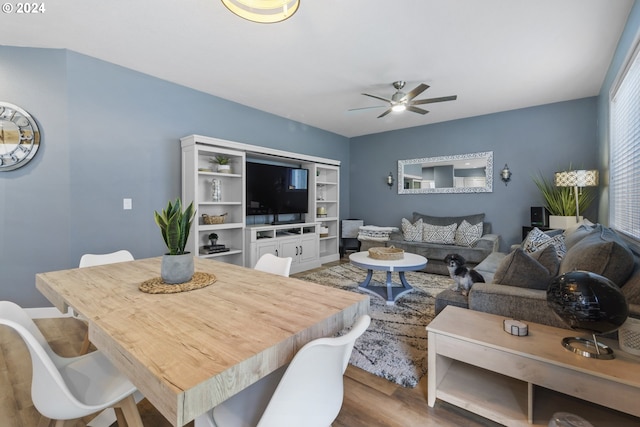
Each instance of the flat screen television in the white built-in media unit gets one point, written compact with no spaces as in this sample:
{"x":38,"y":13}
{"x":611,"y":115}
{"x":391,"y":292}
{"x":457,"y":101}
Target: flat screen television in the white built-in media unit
{"x":276,"y":190}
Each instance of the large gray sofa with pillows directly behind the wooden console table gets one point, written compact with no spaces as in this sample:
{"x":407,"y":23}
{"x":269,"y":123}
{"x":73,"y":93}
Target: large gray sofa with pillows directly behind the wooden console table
{"x":516,"y":287}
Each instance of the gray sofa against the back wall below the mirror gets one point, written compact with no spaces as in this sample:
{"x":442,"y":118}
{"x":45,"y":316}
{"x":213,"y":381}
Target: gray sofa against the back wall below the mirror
{"x":435,"y":252}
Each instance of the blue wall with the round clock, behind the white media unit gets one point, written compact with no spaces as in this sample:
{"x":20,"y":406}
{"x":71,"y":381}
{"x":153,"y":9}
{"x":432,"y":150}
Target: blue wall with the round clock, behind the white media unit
{"x":110,"y":133}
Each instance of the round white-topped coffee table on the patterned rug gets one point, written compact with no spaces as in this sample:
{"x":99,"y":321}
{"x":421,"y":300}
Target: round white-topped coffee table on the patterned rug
{"x":410,"y":262}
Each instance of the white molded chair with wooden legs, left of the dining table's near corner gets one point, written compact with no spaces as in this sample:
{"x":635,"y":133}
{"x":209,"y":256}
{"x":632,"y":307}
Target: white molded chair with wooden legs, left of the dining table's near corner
{"x":70,"y":388}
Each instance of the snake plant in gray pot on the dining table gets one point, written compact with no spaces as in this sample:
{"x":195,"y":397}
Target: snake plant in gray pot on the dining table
{"x":175,"y":225}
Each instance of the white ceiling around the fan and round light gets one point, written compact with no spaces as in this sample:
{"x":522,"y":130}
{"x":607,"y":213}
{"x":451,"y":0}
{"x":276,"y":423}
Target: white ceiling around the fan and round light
{"x":496,"y":55}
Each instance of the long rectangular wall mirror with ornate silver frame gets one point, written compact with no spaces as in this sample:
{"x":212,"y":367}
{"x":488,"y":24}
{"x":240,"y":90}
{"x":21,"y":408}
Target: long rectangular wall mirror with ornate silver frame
{"x":461,"y":173}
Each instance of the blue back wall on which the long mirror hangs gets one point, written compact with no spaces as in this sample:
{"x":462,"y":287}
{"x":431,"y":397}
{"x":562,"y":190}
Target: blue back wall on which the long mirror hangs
{"x":533,"y":140}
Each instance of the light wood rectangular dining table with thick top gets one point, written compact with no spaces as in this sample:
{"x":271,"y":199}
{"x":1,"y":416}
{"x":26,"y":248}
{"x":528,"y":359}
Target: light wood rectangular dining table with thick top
{"x":187,"y":352}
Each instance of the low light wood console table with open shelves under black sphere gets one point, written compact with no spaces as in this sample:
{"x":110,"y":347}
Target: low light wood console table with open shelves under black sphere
{"x":522,"y":381}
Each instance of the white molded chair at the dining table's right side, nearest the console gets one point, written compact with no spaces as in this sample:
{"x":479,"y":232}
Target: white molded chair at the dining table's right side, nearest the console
{"x":308,"y":392}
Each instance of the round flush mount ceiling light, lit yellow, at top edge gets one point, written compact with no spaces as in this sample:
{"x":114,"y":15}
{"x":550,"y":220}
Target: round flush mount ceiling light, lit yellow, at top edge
{"x":263,"y":11}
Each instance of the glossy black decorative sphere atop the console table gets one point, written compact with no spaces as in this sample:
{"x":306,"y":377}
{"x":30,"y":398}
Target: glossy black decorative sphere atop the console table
{"x":588,"y":302}
